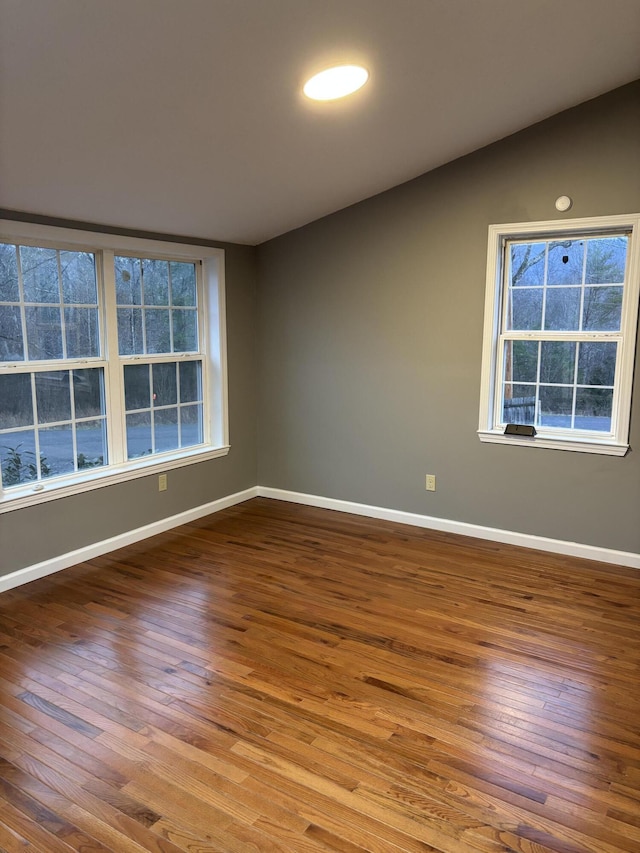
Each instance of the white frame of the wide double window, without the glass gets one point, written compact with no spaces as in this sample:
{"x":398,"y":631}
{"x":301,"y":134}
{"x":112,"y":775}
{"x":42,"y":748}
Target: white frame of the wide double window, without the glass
{"x":211,"y":318}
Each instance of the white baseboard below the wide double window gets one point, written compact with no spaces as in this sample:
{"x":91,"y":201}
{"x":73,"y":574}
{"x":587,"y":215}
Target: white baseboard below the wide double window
{"x":56,"y":564}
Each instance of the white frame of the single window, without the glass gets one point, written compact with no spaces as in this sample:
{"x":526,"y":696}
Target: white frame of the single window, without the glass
{"x":491,"y":427}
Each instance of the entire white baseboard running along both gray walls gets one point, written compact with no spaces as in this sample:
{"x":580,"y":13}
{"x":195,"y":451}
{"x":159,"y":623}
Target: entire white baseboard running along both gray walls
{"x":525,"y":540}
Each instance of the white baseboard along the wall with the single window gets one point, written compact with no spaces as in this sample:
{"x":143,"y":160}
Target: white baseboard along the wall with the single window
{"x":509,"y":537}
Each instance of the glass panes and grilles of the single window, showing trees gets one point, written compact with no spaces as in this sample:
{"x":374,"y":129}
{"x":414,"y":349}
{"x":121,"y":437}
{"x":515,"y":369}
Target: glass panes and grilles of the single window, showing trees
{"x":561,"y":299}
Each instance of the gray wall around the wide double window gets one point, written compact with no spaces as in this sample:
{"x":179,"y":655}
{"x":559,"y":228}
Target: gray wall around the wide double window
{"x":39,"y":533}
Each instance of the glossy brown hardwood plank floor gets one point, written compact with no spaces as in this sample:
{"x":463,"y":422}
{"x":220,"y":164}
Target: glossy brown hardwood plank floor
{"x":282,"y":678}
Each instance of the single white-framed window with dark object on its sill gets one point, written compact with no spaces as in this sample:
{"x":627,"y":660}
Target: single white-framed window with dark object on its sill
{"x":560,"y":327}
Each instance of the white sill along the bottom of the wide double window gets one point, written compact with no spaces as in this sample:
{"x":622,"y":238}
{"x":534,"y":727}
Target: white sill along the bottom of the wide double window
{"x":47,"y":490}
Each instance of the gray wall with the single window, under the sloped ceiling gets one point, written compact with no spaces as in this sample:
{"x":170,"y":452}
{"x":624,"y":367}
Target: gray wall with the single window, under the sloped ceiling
{"x":371,"y":339}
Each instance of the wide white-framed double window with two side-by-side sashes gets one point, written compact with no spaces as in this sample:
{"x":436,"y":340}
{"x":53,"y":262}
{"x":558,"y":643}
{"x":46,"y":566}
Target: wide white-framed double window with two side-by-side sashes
{"x":111,"y":360}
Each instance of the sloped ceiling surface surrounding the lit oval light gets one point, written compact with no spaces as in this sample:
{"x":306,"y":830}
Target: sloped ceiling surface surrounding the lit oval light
{"x":185,"y":116}
